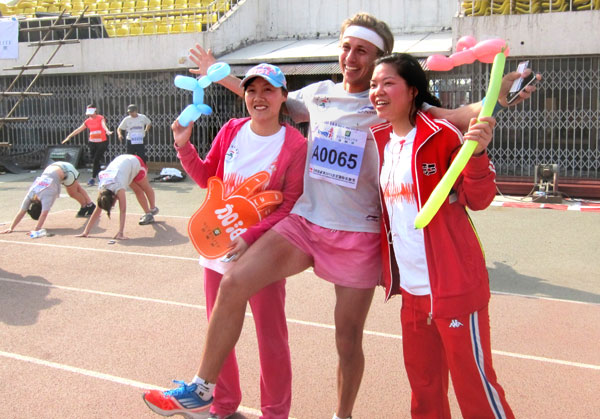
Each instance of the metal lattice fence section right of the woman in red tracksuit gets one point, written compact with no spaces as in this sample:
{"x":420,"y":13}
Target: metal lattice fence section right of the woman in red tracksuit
{"x":559,"y":124}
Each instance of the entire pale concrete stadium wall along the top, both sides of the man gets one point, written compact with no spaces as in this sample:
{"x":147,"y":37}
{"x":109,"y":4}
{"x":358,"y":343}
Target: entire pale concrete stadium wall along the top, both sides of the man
{"x":260,"y":20}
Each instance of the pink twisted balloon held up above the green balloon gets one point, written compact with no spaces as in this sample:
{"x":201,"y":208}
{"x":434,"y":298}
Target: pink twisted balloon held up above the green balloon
{"x":467,"y":51}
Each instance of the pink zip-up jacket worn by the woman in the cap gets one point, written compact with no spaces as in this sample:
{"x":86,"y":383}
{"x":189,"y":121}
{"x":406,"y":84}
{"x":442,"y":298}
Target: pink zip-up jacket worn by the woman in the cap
{"x":287,"y":177}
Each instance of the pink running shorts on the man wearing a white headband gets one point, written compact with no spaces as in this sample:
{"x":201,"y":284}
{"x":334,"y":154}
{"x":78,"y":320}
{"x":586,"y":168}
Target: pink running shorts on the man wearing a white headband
{"x":345,"y":258}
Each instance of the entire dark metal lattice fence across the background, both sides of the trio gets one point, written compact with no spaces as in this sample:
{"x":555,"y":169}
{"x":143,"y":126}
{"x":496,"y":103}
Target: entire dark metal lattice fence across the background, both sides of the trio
{"x":559,"y":124}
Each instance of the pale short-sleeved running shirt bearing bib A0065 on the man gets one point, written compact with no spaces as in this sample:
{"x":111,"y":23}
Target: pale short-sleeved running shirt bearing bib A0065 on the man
{"x":340,"y":177}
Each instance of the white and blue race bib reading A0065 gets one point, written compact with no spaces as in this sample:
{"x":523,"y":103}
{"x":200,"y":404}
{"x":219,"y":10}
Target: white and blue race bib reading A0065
{"x":337,"y":154}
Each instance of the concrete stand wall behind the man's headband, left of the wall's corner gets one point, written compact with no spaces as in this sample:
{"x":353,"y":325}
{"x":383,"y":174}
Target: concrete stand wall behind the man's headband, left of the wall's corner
{"x":253,"y":21}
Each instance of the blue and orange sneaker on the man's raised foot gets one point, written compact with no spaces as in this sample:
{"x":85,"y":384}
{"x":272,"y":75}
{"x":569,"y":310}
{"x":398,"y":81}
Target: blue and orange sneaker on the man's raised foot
{"x":182,"y":400}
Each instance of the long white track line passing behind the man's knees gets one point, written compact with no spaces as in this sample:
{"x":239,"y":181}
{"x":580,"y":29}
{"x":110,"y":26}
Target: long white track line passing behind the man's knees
{"x":291,"y":321}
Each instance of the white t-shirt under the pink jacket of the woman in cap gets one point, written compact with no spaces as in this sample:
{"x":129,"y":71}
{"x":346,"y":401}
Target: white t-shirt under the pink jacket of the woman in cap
{"x":247,"y":155}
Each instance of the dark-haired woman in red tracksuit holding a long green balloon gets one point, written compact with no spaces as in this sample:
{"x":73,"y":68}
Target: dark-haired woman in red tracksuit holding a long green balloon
{"x":439,"y":270}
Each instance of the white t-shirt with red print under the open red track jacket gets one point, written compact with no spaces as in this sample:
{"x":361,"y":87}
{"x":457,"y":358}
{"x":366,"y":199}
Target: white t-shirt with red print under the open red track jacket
{"x":400,"y":201}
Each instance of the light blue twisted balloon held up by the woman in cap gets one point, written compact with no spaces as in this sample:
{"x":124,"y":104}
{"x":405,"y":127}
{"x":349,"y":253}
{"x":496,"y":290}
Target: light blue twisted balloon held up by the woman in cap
{"x":191,"y":113}
